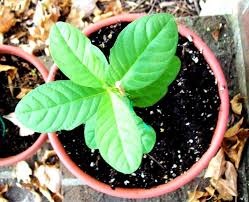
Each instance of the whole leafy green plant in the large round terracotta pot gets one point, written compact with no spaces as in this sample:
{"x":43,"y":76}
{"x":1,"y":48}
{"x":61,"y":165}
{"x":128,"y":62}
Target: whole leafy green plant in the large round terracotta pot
{"x":141,"y":71}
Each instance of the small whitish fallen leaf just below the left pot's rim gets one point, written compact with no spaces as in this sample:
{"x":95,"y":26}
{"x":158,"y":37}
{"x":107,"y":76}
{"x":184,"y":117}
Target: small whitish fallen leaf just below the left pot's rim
{"x":23,"y":172}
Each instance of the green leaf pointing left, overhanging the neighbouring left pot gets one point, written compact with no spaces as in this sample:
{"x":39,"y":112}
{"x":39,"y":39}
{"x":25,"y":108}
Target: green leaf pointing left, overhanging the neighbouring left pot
{"x":59,"y":105}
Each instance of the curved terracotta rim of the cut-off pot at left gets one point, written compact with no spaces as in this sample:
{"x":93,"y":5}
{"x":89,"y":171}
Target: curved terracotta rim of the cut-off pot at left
{"x":11,"y":50}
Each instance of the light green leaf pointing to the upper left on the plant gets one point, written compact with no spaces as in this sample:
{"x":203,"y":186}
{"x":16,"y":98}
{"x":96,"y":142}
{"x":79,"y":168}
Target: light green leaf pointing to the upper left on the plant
{"x":77,"y":58}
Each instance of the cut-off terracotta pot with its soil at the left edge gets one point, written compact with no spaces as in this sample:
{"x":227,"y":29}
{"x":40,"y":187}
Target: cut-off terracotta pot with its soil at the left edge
{"x":15,"y":72}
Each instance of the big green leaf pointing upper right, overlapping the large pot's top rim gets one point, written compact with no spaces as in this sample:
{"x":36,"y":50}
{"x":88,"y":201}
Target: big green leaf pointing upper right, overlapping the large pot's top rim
{"x":142,"y":51}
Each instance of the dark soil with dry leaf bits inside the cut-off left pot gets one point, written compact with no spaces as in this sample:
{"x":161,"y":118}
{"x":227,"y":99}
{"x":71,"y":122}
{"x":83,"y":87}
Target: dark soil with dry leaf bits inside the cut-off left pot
{"x":27,"y":77}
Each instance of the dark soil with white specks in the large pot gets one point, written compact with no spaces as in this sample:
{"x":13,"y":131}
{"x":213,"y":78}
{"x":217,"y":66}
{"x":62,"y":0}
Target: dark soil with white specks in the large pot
{"x":184,"y":121}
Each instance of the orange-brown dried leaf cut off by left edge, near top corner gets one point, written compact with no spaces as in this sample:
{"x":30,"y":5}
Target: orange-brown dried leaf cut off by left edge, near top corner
{"x":8,"y":20}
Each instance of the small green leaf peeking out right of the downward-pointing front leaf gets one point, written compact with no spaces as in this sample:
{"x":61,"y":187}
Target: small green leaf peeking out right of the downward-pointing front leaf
{"x":148,"y":135}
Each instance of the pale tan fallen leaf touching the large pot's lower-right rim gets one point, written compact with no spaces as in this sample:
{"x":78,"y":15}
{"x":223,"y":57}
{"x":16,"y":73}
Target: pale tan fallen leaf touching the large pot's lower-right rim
{"x":216,"y":166}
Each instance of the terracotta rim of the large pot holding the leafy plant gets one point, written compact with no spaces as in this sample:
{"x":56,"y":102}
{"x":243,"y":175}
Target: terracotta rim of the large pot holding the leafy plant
{"x":195,"y":170}
